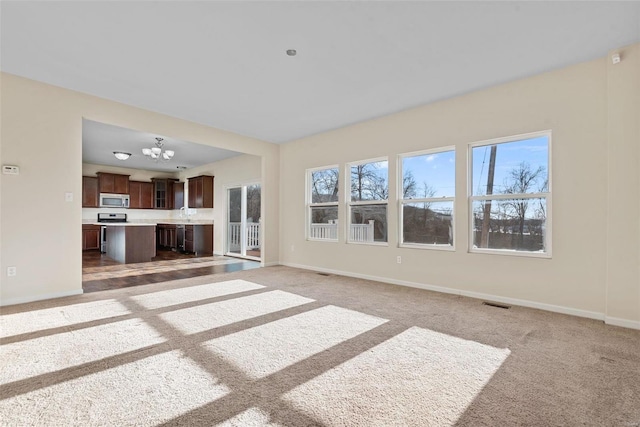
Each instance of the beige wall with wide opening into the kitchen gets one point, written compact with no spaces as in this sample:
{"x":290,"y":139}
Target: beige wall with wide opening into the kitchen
{"x":42,"y":133}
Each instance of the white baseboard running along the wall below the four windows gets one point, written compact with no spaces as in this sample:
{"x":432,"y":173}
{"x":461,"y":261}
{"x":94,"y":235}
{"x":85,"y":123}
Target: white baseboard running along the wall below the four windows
{"x":477,"y":295}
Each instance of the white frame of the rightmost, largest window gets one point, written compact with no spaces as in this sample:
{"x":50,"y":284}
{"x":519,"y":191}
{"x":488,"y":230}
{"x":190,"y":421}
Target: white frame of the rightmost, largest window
{"x":545,"y":195}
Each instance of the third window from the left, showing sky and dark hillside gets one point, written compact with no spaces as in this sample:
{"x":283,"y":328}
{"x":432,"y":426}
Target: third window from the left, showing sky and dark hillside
{"x":427,"y":198}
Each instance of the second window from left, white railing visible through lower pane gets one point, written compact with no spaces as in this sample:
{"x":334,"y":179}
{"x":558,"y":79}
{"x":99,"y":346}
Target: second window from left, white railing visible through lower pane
{"x":368,"y":205}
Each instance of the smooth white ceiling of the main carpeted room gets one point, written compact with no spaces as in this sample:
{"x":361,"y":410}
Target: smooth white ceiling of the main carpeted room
{"x":224,"y":64}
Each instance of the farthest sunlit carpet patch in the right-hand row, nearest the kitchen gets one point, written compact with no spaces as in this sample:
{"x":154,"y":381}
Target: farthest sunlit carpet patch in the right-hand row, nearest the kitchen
{"x":193,"y":293}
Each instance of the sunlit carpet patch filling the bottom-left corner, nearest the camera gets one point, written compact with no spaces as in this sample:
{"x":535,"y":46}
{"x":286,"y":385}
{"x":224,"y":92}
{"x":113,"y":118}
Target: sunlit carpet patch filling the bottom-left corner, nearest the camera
{"x":146,"y":392}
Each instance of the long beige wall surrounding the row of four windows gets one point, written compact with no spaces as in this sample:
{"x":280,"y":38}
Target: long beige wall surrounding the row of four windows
{"x":573,"y":103}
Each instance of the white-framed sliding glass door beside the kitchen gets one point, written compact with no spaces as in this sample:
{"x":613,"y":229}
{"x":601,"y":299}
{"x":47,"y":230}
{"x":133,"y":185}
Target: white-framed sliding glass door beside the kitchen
{"x":243,"y":222}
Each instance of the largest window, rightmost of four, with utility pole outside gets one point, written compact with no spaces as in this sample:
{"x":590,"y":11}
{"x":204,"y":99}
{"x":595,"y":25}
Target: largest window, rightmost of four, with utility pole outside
{"x":510,"y":195}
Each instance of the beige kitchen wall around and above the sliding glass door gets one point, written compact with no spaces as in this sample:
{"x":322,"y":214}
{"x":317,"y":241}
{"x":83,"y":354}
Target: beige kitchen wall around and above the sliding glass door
{"x":236,"y":171}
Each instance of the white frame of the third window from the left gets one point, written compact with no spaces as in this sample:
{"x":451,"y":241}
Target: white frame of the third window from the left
{"x":402,"y":201}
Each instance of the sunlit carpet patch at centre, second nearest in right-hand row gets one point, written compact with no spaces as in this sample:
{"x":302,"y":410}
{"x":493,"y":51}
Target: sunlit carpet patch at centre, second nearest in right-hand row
{"x":269,"y":348}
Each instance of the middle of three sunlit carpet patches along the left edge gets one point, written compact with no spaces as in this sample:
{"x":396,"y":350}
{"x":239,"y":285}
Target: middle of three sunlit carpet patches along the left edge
{"x":64,"y":350}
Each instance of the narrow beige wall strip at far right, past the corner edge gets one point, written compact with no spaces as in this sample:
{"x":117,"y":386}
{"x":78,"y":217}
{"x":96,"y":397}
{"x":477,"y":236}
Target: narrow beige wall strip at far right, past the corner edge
{"x":623,"y":187}
